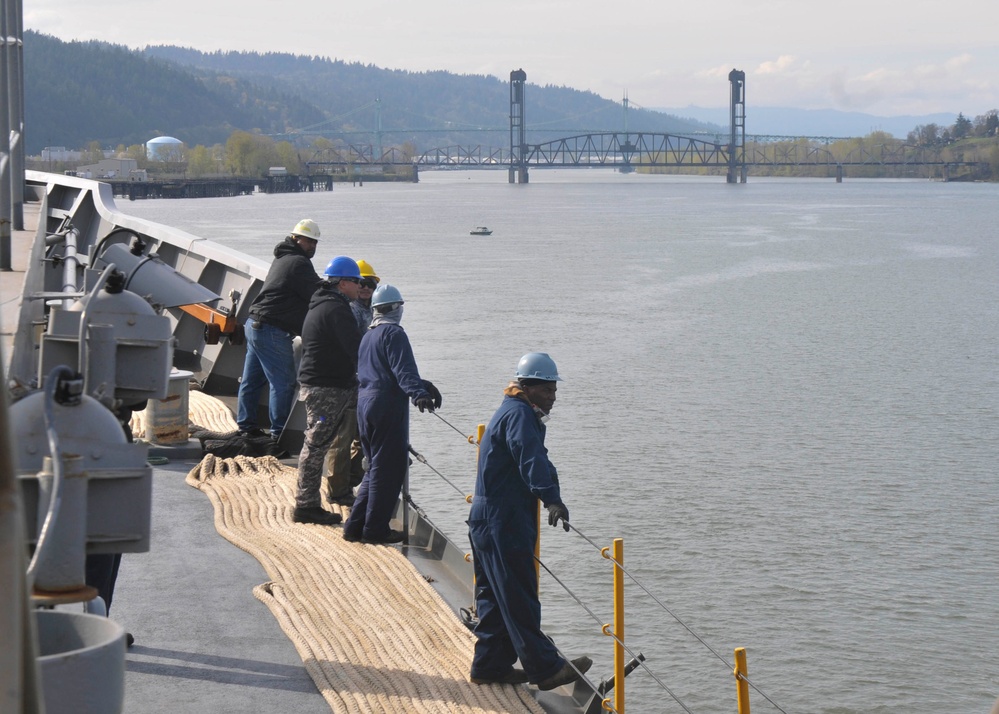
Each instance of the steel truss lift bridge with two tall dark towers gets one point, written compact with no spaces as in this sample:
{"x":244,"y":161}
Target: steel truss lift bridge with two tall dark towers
{"x":627,"y":151}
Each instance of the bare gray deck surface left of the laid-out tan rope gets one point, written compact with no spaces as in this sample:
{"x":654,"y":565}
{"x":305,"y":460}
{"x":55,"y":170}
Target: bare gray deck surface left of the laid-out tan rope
{"x":203,"y":643}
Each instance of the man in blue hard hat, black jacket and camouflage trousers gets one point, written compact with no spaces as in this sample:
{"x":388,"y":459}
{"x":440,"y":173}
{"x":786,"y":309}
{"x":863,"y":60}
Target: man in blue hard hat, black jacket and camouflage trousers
{"x":328,"y":378}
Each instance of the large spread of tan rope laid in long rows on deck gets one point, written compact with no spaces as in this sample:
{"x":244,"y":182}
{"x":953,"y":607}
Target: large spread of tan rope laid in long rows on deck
{"x":373,"y":634}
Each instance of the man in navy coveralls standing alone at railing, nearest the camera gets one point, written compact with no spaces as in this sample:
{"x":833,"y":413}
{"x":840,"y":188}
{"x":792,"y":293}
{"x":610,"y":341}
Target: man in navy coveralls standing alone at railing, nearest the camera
{"x":513,"y":474}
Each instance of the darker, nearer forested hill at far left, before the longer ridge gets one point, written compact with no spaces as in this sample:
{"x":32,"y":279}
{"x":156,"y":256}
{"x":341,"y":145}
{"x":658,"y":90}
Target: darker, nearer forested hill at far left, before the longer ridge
{"x":78,"y":92}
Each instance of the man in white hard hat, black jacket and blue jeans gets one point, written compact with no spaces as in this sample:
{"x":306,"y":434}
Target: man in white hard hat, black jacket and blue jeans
{"x":275,"y":318}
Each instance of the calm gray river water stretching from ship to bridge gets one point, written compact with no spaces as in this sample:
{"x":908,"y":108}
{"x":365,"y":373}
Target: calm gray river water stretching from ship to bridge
{"x":784,"y":396}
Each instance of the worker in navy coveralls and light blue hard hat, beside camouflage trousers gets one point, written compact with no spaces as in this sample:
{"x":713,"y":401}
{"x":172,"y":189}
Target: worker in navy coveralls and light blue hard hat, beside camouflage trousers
{"x":387,"y":379}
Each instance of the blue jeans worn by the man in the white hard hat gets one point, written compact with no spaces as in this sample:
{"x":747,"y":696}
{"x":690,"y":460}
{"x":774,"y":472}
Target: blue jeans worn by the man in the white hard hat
{"x":269,"y":359}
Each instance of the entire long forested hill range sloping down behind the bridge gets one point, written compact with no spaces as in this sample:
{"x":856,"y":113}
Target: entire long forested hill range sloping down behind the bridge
{"x":79,"y":92}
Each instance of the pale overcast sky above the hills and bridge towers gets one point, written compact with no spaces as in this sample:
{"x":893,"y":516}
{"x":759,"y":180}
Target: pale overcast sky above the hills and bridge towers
{"x":881,"y":57}
